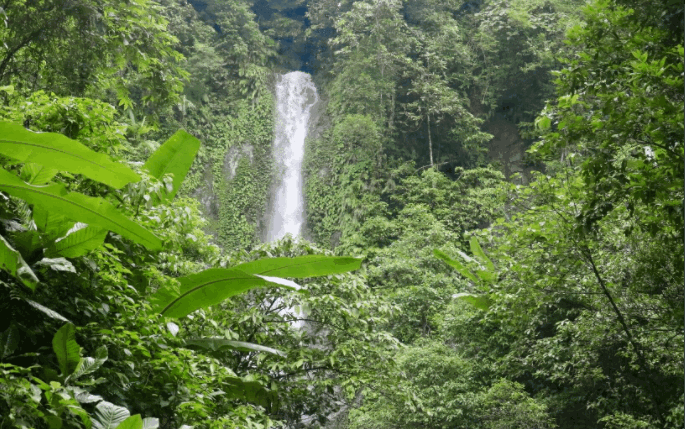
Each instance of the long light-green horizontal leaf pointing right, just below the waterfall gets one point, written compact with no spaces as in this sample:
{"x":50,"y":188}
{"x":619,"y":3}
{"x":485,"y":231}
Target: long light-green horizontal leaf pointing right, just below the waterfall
{"x":302,"y":266}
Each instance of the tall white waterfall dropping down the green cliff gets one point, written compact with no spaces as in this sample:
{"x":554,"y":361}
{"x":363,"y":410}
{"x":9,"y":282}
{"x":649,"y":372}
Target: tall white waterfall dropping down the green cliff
{"x":295,"y":97}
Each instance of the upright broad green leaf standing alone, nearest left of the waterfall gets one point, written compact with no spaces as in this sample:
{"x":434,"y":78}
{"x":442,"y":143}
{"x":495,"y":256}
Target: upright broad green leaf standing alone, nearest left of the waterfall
{"x":175,"y":156}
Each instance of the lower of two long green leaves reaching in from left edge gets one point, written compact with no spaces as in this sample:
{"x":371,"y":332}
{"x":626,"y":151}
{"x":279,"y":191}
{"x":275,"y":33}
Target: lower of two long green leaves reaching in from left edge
{"x":78,"y":207}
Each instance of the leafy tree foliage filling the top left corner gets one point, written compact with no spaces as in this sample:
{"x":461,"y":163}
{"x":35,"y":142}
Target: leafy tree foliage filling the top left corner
{"x":89,"y":47}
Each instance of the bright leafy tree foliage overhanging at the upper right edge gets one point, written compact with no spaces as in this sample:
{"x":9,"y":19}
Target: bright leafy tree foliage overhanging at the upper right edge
{"x":620,"y":110}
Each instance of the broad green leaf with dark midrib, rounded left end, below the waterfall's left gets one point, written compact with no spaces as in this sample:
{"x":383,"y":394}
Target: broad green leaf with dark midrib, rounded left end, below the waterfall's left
{"x":204,"y":289}
